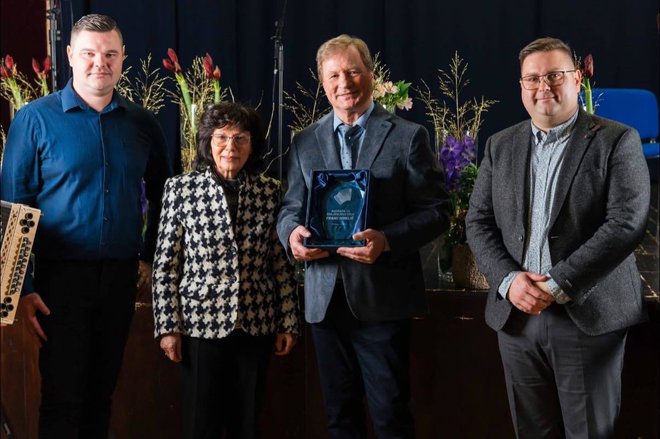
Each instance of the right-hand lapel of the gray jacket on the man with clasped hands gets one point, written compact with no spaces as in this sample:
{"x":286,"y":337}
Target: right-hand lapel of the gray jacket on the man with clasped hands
{"x":584,"y":130}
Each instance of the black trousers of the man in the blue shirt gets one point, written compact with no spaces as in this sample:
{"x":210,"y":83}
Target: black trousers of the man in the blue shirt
{"x":92,"y":304}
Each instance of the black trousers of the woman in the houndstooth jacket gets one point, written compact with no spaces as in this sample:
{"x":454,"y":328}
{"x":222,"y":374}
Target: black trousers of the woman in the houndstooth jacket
{"x":223,"y":383}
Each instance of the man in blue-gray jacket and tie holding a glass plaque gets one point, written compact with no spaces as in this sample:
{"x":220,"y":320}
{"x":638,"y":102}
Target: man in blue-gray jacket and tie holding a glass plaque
{"x":360,"y":296}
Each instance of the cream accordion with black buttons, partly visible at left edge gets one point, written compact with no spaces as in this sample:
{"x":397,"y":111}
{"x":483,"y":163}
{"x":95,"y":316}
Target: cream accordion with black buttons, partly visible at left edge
{"x":19,"y":225}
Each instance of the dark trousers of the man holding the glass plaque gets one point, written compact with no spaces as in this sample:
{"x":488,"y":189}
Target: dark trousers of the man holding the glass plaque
{"x":357,"y":358}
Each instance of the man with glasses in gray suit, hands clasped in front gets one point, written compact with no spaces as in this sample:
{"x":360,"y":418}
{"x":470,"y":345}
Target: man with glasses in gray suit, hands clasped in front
{"x":559,"y":206}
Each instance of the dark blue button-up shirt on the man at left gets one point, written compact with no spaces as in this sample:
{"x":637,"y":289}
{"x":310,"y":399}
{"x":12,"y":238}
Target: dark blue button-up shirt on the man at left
{"x":84,"y":169}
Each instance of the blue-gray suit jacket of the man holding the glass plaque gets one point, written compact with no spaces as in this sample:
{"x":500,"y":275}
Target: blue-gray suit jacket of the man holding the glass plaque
{"x":408,"y":203}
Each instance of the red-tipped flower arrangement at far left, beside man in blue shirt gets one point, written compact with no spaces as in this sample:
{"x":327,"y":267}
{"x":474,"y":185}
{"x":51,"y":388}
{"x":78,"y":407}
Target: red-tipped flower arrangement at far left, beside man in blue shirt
{"x":15,"y":87}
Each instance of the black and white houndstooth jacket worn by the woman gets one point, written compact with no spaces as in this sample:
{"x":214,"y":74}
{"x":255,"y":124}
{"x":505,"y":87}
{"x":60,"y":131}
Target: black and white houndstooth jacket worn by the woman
{"x":210,"y":278}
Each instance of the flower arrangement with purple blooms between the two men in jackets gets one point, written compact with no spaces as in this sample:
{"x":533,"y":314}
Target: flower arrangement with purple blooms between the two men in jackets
{"x":456,"y":127}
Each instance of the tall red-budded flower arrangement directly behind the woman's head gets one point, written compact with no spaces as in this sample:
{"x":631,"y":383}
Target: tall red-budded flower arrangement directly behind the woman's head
{"x":197,"y":88}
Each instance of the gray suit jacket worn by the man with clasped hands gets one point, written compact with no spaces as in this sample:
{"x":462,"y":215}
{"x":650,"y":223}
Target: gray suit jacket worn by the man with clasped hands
{"x":598,"y":217}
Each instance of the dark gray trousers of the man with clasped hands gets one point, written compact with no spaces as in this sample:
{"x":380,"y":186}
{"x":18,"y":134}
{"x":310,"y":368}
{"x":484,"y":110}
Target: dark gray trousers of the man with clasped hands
{"x":561,"y":382}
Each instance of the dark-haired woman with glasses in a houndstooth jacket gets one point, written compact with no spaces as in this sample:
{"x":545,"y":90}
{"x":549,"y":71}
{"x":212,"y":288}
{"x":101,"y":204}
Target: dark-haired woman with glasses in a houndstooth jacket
{"x":223,"y":288}
